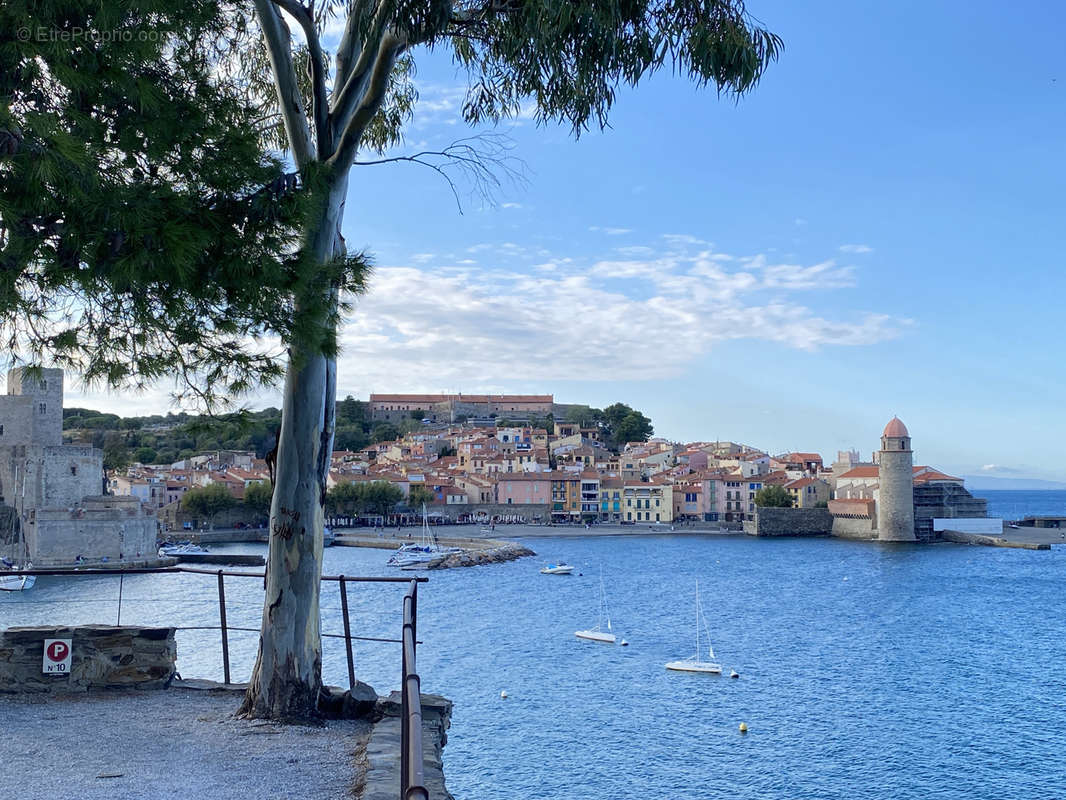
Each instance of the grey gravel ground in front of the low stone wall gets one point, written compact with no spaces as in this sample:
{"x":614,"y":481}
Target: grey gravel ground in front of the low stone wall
{"x":171,"y":744}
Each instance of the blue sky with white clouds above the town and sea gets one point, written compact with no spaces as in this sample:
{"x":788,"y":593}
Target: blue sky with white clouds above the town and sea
{"x":876,"y":231}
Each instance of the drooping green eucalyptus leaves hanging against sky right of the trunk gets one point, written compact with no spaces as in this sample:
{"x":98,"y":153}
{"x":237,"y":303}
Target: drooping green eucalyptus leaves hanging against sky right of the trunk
{"x":572,"y":57}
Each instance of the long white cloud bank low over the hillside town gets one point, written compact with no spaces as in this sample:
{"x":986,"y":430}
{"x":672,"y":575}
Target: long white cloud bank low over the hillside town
{"x":638,"y":318}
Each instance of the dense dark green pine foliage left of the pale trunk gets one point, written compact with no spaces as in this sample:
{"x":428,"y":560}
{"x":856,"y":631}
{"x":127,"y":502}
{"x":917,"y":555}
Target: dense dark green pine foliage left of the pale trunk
{"x":144,"y":232}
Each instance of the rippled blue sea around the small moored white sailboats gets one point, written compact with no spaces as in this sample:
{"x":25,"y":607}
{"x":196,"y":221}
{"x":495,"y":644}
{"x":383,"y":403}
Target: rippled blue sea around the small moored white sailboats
{"x":866,"y":671}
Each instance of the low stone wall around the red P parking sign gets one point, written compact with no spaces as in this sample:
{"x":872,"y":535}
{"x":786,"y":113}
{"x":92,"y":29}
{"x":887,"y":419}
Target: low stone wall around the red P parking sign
{"x":104,"y":658}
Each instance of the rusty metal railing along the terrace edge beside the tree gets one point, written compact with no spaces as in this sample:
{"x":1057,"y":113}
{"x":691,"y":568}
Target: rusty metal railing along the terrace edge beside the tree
{"x":412,"y":777}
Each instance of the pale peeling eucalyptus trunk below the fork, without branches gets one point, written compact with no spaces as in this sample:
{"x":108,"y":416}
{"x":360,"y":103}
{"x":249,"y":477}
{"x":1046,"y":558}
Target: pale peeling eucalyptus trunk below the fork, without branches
{"x":287,"y":679}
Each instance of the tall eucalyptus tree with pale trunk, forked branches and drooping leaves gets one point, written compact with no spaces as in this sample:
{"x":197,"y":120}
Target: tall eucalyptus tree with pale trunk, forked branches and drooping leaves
{"x":568,"y":60}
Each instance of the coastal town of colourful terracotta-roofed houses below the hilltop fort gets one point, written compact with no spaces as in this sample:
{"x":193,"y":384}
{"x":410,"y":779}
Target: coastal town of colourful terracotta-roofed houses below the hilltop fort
{"x":505,"y":458}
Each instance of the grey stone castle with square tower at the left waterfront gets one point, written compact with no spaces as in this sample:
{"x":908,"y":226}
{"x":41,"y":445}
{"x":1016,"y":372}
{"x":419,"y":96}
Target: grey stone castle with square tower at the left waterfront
{"x":53,"y":507}
